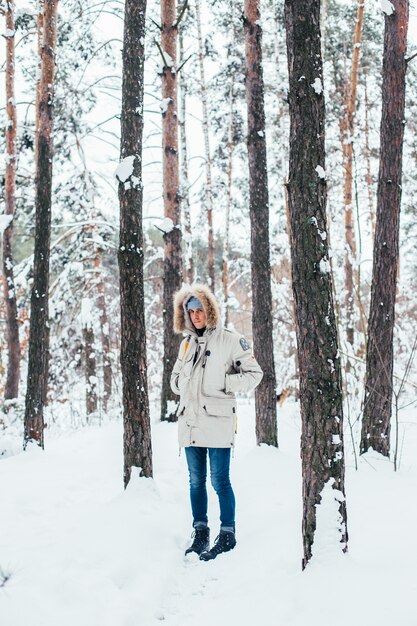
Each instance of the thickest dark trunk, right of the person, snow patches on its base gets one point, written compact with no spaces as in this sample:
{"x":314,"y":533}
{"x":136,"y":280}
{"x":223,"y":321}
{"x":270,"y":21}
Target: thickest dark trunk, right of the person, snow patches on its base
{"x":320,"y":372}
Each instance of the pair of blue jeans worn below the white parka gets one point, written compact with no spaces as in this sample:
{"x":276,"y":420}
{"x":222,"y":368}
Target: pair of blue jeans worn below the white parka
{"x":219,"y":475}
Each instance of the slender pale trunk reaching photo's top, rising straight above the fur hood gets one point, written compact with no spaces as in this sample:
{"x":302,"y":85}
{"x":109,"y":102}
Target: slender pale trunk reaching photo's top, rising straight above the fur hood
{"x":209,"y":184}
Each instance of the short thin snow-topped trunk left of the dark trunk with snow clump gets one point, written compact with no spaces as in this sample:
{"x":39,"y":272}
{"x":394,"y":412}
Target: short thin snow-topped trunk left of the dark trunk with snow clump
{"x":90,"y":368}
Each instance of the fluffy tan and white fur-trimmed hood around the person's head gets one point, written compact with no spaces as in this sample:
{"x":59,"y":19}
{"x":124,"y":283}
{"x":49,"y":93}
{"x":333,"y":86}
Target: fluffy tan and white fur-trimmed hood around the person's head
{"x":182,"y":321}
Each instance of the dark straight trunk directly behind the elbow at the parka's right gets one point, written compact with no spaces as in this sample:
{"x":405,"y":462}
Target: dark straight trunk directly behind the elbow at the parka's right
{"x":265,"y":394}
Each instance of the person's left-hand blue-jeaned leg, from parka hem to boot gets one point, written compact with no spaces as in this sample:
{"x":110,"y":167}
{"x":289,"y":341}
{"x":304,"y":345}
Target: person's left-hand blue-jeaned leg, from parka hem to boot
{"x":197,"y":467}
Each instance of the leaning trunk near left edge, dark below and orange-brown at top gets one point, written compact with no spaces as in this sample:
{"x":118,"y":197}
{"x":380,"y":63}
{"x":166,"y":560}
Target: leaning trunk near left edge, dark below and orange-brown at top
{"x":39,"y":335}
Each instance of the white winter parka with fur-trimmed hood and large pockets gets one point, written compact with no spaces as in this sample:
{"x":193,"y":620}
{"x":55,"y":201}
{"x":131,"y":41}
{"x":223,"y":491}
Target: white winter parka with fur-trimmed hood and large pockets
{"x":209,"y":371}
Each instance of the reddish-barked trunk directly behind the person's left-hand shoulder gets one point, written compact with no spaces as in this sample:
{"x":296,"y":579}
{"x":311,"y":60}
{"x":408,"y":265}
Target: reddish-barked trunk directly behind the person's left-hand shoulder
{"x":172,"y":239}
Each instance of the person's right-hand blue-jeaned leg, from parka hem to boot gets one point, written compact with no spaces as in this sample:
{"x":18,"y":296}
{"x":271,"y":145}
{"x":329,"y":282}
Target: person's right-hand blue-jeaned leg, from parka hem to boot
{"x":220,"y":479}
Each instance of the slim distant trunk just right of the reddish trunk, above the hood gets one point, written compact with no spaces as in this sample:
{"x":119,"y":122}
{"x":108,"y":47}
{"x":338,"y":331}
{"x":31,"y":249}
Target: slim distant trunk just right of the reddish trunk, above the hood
{"x":185,"y":184}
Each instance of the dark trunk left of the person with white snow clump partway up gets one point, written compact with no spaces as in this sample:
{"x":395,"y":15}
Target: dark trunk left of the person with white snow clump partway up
{"x":136,"y":420}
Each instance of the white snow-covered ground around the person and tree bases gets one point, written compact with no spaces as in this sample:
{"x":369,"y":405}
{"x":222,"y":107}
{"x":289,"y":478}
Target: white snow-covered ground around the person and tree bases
{"x":82,"y":552}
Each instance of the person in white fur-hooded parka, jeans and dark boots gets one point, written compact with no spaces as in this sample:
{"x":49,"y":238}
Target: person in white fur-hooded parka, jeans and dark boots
{"x":213,"y":365}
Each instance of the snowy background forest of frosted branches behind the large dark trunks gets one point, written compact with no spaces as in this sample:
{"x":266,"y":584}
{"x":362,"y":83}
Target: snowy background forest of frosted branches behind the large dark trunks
{"x":84,"y":332}
